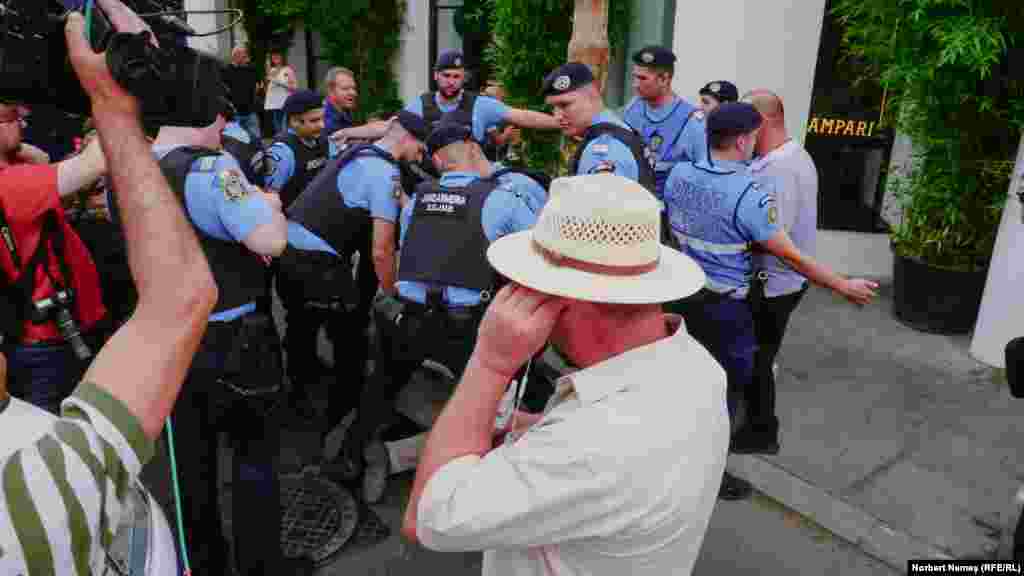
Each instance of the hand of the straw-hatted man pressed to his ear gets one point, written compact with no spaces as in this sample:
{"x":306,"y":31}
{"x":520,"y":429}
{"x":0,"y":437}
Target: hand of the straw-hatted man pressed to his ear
{"x":516,"y":327}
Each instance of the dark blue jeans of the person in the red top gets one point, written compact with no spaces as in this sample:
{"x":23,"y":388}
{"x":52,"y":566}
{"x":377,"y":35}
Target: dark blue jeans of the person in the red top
{"x":44,"y":375}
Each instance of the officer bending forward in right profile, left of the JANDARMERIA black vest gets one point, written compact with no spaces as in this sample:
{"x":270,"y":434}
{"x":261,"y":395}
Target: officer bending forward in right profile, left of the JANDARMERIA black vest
{"x":353,"y":207}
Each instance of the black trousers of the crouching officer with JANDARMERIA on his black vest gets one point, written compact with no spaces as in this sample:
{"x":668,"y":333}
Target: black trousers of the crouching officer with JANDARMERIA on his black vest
{"x":445,"y":337}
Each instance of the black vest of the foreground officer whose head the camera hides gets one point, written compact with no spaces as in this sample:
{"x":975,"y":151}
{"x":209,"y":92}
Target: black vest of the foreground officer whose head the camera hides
{"x":238,"y":272}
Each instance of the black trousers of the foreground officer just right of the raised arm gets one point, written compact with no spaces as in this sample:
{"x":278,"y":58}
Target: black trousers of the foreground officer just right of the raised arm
{"x":257,"y":451}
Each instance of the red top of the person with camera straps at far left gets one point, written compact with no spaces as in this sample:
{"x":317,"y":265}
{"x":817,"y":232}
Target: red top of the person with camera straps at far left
{"x":28,"y":192}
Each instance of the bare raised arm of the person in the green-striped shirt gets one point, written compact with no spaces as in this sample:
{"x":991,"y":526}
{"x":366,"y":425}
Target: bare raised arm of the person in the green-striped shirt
{"x":145,"y":363}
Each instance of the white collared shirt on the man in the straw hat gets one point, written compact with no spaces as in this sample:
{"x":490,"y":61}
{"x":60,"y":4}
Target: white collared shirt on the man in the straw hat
{"x":620,"y":476}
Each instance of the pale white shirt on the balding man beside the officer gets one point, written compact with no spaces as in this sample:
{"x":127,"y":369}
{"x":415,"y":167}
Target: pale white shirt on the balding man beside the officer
{"x":790,"y":172}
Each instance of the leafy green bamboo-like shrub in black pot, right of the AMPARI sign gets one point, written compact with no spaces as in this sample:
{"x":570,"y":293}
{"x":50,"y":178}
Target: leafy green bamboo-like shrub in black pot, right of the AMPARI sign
{"x":946,"y":66}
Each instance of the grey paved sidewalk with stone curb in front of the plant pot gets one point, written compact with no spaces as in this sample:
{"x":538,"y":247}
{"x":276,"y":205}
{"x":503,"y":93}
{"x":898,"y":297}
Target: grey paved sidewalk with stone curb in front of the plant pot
{"x":892,"y":439}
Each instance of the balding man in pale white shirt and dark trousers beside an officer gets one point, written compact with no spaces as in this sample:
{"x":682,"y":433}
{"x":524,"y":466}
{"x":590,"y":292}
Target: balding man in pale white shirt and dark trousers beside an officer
{"x":784,"y":167}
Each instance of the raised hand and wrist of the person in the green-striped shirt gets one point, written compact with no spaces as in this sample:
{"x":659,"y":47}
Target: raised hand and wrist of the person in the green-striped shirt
{"x":93,"y":72}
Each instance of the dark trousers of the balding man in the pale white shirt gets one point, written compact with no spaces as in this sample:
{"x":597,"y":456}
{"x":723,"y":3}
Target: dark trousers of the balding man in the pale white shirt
{"x":770,"y":323}
